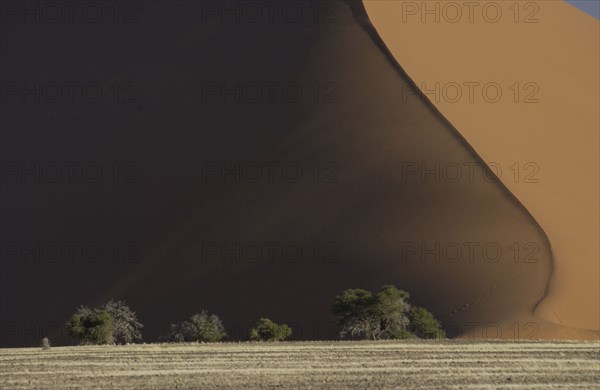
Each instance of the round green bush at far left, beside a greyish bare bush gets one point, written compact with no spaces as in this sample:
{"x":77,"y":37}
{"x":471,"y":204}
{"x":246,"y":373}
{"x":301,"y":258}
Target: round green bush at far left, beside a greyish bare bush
{"x":91,"y":326}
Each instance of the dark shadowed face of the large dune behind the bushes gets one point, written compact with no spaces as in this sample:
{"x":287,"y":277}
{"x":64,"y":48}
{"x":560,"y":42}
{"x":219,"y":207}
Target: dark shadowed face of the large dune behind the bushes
{"x":368,"y":224}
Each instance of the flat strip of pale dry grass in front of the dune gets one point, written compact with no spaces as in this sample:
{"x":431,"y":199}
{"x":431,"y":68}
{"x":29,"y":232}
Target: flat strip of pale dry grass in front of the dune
{"x":414,"y":364}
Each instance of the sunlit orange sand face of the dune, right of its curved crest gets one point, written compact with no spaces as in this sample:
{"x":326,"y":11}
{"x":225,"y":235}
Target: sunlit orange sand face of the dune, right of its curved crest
{"x":544,"y":58}
